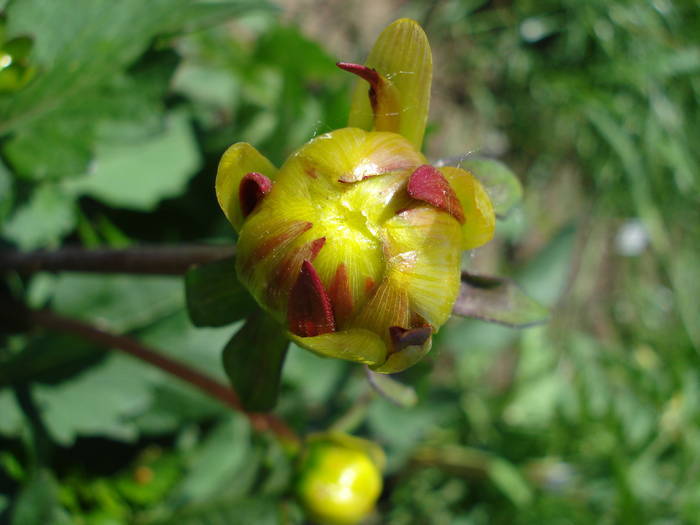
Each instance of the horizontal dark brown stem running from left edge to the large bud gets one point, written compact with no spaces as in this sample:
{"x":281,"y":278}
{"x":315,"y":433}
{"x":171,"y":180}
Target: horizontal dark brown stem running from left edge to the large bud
{"x":158,"y":260}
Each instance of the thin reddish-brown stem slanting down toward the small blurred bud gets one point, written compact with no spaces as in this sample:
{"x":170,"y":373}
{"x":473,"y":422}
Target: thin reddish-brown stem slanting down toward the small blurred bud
{"x":260,"y":422}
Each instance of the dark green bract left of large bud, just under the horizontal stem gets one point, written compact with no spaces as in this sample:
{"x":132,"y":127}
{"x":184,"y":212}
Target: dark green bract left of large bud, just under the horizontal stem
{"x":215,"y":296}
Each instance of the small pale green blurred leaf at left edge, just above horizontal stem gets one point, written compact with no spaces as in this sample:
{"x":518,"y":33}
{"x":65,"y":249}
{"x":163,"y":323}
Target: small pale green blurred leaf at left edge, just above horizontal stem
{"x":43,"y":220}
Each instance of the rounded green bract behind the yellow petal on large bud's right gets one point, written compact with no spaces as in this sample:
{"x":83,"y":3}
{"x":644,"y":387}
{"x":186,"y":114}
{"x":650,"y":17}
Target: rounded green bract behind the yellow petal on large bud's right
{"x":498,"y":180}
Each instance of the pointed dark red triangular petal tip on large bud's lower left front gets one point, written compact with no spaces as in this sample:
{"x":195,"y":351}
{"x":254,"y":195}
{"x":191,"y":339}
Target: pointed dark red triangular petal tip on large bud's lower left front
{"x":309,"y":312}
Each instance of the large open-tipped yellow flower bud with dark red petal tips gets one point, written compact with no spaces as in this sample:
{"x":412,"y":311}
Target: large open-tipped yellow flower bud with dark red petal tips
{"x":355,"y":243}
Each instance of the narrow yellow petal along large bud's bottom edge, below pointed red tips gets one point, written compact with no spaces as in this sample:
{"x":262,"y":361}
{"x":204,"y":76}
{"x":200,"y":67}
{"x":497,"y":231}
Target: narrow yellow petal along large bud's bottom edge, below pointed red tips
{"x":361,"y":346}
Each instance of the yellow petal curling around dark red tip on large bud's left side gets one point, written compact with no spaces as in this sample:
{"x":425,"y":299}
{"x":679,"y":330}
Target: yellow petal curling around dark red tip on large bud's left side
{"x":239,"y":159}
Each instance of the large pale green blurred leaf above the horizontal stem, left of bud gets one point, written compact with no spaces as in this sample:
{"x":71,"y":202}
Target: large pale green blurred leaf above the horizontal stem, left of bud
{"x":140,"y":174}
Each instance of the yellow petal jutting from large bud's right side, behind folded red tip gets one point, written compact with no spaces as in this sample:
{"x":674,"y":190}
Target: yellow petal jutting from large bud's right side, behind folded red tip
{"x":480,"y":219}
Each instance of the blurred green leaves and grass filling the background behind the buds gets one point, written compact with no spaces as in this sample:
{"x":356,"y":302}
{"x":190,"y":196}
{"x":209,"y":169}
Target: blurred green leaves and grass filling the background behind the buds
{"x":115,"y":139}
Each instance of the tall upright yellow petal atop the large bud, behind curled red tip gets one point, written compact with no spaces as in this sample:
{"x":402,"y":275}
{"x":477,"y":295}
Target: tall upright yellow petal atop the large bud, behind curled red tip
{"x":402,"y":55}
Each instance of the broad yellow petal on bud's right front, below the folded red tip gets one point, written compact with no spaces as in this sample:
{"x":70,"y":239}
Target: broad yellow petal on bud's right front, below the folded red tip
{"x":424,"y":258}
